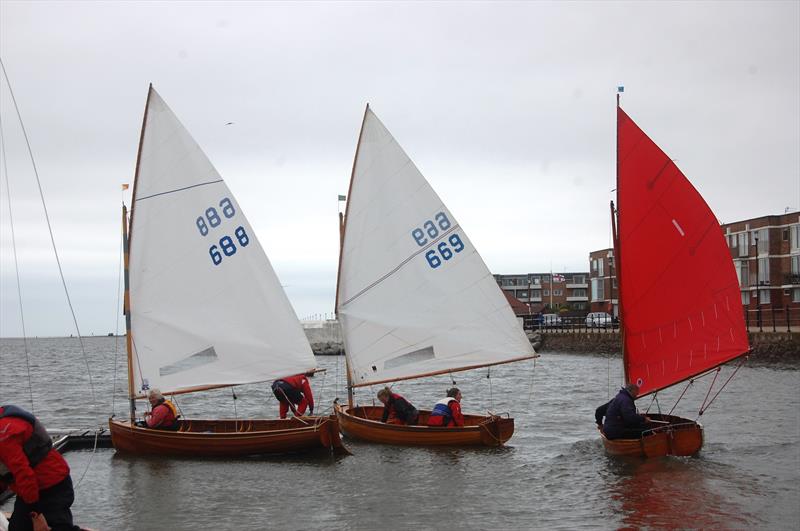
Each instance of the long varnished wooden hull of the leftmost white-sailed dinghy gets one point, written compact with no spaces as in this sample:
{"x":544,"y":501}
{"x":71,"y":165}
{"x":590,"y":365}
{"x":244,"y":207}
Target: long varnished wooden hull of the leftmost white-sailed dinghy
{"x":229,"y":437}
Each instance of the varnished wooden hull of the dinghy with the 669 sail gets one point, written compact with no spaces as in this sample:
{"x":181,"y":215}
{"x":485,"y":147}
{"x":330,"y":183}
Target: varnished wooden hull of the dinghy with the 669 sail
{"x":363,"y":422}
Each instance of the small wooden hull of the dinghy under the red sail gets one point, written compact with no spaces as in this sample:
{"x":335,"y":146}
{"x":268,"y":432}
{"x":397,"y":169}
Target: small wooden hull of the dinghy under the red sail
{"x":681,"y":437}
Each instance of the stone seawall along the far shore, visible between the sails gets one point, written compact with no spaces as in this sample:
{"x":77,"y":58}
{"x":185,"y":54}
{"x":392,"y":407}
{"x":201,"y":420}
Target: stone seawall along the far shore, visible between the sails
{"x":768,"y":347}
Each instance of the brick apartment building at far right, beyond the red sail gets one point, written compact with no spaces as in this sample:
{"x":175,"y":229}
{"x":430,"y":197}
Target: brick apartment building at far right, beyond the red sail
{"x":766,"y":255}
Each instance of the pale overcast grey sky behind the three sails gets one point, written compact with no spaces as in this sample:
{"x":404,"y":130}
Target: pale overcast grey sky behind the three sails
{"x":506,"y":108}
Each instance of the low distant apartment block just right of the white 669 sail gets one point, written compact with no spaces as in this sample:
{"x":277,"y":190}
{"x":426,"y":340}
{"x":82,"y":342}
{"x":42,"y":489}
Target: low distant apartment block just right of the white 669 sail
{"x":546,"y":291}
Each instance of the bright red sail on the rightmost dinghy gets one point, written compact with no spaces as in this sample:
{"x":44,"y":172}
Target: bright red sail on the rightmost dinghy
{"x":679,"y":295}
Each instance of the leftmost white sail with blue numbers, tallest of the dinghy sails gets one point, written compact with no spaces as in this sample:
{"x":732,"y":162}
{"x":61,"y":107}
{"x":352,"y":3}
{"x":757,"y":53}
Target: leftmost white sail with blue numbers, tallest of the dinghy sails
{"x":206,"y":306}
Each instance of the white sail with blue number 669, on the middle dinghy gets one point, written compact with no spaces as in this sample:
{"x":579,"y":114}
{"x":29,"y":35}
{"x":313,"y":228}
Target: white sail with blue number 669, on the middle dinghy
{"x":414,"y":295}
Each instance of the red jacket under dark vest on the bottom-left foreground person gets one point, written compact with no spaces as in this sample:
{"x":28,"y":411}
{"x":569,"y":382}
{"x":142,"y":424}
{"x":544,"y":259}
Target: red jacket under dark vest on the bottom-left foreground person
{"x":28,"y":482}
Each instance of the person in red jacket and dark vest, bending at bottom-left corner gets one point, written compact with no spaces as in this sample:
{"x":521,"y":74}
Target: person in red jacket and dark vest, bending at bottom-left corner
{"x":36,"y":472}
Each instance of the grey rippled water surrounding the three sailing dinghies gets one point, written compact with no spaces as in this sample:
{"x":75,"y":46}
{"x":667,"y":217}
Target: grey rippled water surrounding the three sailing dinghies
{"x":553,"y":474}
